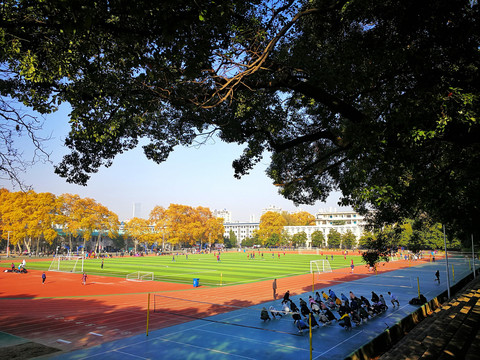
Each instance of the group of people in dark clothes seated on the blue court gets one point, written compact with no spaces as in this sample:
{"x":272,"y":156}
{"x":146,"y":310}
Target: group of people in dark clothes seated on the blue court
{"x":350,"y":309}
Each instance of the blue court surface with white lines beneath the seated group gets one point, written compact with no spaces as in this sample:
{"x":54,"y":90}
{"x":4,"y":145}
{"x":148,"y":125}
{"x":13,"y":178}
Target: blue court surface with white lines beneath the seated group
{"x":240,"y":334}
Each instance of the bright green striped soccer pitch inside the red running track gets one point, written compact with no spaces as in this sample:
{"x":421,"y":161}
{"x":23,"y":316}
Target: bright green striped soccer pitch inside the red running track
{"x":232,"y":269}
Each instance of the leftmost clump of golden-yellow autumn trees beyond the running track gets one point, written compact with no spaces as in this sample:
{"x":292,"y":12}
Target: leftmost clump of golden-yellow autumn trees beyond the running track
{"x":27,"y":218}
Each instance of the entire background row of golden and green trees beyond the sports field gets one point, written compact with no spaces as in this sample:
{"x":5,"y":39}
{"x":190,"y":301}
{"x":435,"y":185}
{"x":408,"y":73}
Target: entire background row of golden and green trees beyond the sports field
{"x":27,"y":218}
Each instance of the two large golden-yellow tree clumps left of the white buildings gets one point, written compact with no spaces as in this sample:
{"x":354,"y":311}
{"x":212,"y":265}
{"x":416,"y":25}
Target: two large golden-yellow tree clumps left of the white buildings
{"x":28,"y":218}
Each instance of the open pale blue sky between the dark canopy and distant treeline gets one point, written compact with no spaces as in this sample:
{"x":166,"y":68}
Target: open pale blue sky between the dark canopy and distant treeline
{"x":196,"y":176}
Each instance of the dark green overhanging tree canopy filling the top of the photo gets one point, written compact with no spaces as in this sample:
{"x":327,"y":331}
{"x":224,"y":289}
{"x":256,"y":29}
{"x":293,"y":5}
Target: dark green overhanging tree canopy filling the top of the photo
{"x":376,"y":99}
